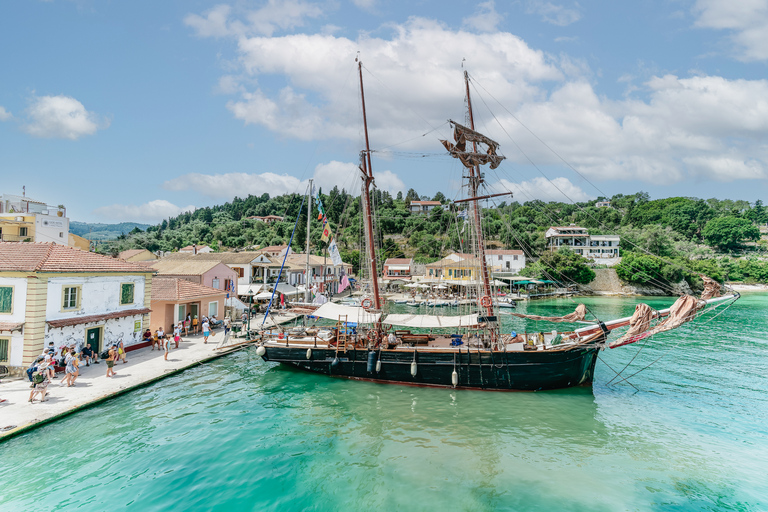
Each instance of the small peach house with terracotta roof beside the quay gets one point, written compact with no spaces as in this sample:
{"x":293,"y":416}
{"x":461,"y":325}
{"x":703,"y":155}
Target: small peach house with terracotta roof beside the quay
{"x":173,"y":298}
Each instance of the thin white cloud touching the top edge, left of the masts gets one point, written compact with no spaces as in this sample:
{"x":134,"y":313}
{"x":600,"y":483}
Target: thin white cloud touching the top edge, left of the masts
{"x":274,"y":15}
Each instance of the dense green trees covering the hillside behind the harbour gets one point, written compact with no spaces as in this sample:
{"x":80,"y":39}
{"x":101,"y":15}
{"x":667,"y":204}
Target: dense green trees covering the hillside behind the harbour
{"x":664,"y":239}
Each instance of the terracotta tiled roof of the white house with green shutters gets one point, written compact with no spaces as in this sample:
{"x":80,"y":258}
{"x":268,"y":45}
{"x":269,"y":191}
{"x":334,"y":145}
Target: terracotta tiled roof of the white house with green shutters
{"x":51,"y":257}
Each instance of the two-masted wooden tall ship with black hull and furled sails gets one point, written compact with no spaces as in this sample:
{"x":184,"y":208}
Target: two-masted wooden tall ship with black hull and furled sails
{"x":467,"y":351}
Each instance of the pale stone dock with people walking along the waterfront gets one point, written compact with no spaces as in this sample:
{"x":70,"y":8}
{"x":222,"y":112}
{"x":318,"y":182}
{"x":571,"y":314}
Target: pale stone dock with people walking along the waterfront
{"x":144,"y":366}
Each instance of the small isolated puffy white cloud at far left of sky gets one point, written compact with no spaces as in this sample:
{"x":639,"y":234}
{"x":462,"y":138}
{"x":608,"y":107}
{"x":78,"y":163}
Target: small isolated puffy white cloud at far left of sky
{"x":61,"y":117}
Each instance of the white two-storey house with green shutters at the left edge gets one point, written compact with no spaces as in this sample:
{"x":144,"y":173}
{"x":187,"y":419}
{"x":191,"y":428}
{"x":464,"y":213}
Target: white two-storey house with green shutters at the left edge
{"x":50,"y":292}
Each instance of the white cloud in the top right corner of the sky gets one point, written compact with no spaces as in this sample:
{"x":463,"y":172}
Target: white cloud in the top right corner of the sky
{"x":747,"y":20}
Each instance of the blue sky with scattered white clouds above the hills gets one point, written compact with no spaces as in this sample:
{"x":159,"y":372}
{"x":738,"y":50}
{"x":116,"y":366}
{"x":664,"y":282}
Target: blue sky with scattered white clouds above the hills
{"x":136,"y":111}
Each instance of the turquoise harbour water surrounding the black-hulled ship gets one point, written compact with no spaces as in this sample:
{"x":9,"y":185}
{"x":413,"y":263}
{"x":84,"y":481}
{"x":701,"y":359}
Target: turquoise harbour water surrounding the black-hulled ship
{"x":241,"y":434}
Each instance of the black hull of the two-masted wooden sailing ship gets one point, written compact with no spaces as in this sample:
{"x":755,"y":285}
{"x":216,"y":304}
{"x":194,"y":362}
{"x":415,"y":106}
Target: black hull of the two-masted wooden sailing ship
{"x":507,"y":371}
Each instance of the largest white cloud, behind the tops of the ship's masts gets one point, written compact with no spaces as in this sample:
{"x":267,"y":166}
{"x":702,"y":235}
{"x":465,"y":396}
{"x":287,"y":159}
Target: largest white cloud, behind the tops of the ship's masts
{"x":420,"y":65}
